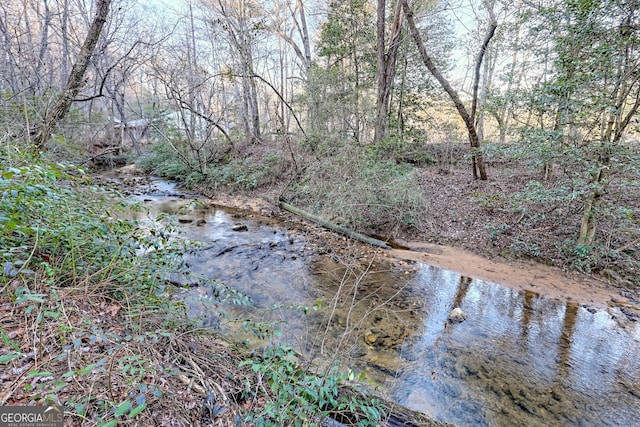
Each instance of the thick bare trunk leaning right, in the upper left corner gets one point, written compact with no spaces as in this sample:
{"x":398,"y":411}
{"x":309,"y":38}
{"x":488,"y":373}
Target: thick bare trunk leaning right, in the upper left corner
{"x":42,"y":132}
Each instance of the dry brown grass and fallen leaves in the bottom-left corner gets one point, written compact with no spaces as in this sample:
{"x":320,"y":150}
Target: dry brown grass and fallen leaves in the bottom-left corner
{"x":85,"y":353}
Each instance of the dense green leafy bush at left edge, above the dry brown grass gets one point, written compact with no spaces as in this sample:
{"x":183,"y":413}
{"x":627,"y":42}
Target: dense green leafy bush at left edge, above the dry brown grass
{"x":55,"y":222}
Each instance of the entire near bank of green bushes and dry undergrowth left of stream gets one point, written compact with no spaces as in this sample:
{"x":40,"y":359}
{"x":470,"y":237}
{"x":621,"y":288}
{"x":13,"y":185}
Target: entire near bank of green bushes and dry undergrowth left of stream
{"x":87,"y":322}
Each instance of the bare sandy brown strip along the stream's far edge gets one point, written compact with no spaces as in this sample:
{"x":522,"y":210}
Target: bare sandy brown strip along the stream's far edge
{"x":548,"y":281}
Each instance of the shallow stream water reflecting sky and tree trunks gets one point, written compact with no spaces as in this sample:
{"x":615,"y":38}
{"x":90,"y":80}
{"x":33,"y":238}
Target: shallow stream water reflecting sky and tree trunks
{"x":518,"y":359}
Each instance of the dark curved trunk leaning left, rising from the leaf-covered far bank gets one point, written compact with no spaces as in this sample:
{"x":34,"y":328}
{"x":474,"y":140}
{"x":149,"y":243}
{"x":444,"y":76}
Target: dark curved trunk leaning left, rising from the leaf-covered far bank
{"x":478,"y":169}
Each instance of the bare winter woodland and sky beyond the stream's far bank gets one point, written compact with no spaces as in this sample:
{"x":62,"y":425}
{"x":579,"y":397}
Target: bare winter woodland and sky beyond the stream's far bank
{"x":363,"y":111}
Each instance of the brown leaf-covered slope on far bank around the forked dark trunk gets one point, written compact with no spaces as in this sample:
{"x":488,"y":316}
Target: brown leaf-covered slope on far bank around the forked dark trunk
{"x":518,"y":214}
